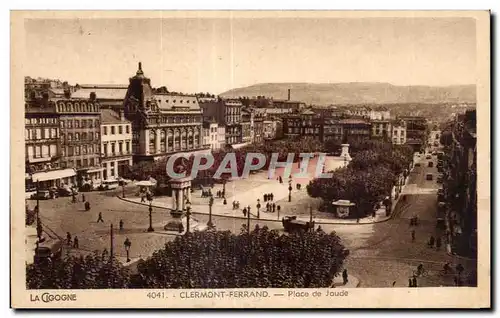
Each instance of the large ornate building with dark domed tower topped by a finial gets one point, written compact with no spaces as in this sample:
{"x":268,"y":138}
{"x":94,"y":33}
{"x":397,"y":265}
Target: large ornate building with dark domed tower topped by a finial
{"x":162,"y":123}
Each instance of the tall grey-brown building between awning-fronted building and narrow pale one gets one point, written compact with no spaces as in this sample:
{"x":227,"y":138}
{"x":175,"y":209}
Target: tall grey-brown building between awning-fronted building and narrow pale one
{"x":80,"y":128}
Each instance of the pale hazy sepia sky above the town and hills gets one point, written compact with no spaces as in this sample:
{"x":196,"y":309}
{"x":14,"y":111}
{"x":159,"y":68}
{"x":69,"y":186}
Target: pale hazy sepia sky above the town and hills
{"x":215,"y":55}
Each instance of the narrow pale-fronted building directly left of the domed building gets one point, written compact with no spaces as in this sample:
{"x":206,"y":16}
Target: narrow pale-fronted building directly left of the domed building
{"x":116,"y":144}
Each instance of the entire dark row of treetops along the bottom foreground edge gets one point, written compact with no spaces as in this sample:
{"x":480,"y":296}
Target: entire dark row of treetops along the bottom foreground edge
{"x":212,"y":259}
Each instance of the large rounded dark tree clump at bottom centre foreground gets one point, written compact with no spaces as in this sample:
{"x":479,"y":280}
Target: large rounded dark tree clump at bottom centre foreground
{"x":225,"y":260}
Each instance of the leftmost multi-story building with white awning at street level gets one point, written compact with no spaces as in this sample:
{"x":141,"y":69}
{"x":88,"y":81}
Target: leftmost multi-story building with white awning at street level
{"x":43,"y":146}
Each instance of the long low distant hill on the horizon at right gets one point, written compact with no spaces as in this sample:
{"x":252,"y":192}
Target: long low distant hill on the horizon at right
{"x":358,"y":93}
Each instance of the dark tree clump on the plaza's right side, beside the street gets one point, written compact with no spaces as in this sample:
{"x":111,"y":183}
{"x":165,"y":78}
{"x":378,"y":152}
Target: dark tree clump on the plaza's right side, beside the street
{"x":369,"y":177}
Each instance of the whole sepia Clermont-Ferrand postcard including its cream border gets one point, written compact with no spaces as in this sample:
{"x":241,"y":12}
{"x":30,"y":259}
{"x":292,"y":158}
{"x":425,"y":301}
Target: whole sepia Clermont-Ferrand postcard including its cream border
{"x":260,"y":159}
